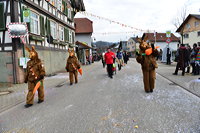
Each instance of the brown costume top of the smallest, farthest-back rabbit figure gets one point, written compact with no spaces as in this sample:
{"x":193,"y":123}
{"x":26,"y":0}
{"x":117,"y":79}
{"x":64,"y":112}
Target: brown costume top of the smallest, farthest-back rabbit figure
{"x":72,"y":64}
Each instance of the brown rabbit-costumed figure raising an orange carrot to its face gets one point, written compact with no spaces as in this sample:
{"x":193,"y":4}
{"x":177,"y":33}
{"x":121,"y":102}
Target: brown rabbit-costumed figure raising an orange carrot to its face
{"x":146,"y":57}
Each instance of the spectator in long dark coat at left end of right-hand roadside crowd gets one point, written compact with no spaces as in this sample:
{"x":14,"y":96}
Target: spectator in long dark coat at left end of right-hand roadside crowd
{"x":181,"y":60}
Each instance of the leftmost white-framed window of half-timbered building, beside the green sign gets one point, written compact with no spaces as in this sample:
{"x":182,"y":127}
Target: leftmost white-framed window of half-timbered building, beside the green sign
{"x":34,"y":24}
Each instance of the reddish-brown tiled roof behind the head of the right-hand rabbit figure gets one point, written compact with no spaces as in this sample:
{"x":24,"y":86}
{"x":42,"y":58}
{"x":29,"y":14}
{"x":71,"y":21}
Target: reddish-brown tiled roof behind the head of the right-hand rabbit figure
{"x":160,"y":37}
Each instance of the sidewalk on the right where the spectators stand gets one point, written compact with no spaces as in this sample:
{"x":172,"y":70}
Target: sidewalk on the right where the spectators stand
{"x":188,"y":82}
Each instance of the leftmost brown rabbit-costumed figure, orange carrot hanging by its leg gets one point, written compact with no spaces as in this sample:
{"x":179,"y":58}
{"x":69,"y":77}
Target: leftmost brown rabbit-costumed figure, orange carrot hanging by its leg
{"x":34,"y":76}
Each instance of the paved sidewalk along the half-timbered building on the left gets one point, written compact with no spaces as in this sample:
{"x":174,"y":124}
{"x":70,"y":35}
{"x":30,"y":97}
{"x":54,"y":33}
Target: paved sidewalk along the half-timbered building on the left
{"x":19,"y":91}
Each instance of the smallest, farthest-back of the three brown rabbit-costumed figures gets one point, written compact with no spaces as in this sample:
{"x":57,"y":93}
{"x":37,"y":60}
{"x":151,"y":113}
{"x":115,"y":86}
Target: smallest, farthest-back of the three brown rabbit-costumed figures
{"x":72,"y":67}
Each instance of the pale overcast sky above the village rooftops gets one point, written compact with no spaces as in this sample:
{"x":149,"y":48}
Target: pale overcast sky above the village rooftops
{"x":143,"y":14}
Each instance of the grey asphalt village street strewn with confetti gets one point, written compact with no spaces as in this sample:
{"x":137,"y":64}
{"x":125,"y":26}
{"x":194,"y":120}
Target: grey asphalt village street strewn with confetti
{"x":98,"y":104}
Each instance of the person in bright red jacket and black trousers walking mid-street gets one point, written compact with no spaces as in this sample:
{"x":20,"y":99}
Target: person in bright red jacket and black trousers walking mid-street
{"x":109,"y":58}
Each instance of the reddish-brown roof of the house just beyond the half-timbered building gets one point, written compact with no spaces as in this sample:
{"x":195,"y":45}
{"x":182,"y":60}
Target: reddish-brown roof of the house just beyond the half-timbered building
{"x":83,"y":25}
